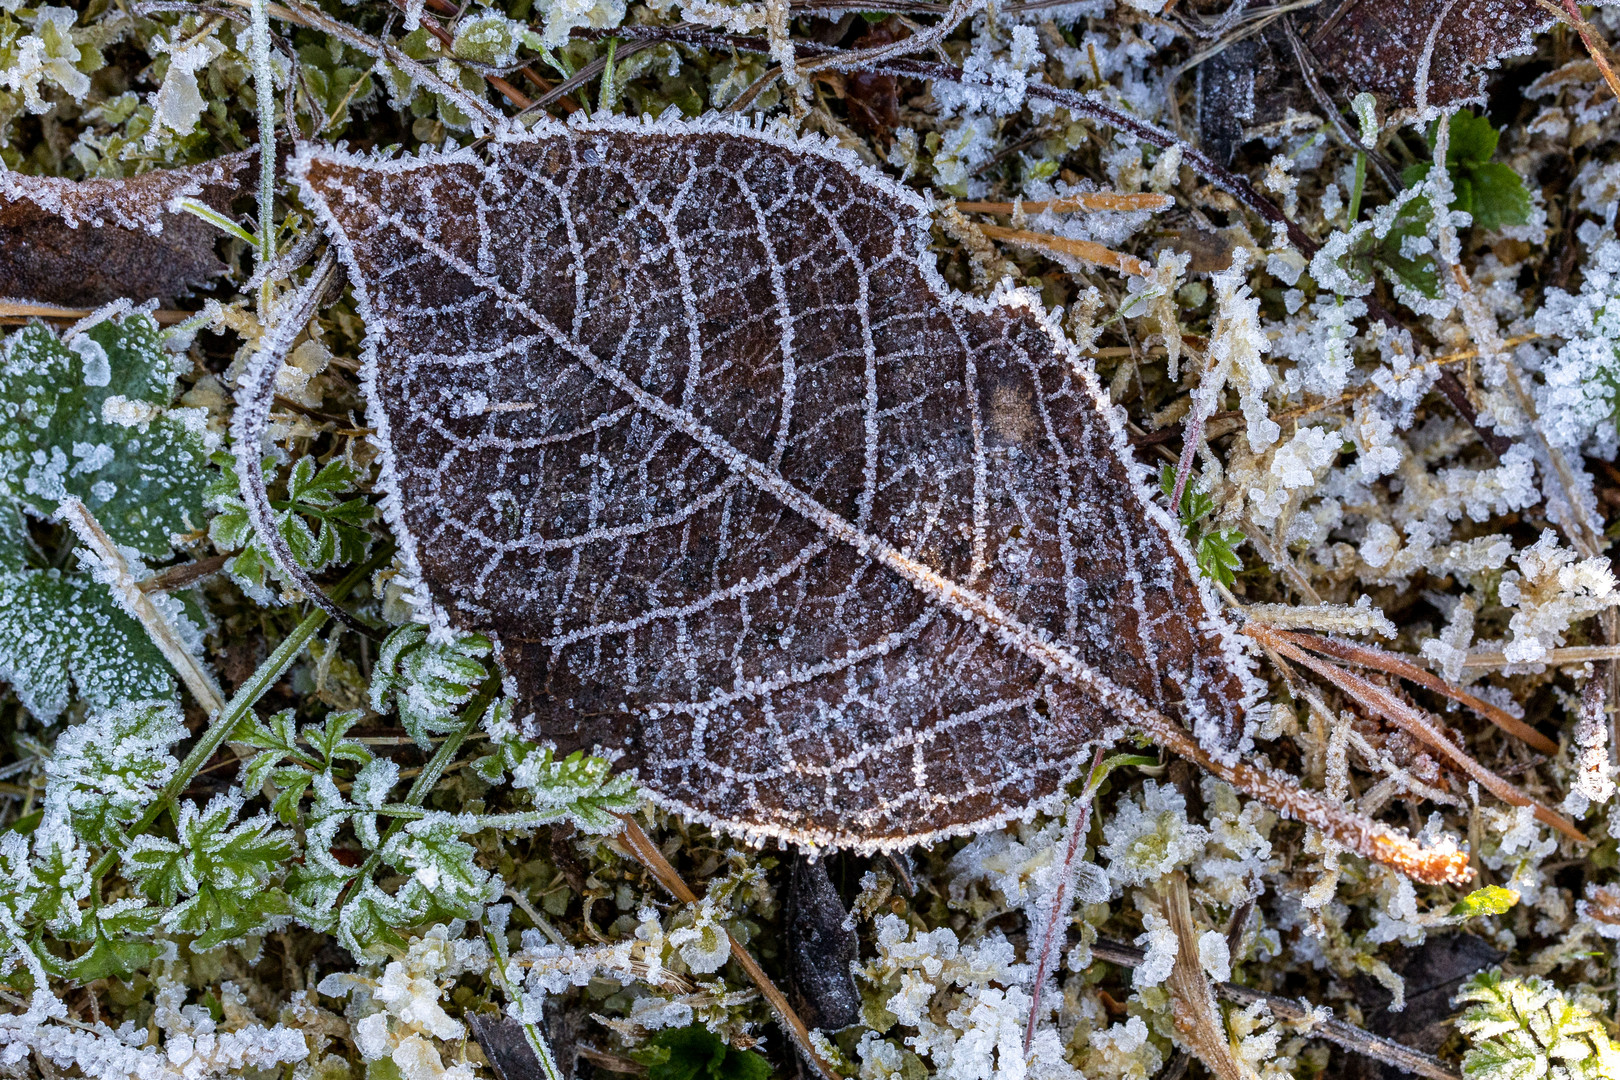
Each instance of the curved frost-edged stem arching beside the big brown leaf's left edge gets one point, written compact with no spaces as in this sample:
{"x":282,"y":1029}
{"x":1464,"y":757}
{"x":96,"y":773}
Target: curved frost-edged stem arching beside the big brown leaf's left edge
{"x":254,"y":414}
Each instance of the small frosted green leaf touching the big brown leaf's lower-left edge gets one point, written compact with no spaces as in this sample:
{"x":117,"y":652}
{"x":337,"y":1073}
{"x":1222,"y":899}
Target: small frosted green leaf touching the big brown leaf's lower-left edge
{"x":428,"y":681}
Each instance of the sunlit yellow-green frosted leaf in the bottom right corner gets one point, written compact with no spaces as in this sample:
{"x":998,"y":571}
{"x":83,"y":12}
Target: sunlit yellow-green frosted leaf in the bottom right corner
{"x":1525,"y":1029}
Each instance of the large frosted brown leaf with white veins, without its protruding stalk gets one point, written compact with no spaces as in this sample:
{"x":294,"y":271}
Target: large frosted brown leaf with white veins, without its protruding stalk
{"x":686,"y":420}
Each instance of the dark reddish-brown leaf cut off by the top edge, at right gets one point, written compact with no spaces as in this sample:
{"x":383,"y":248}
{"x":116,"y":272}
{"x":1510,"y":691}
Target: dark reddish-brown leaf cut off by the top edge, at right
{"x":1423,"y":54}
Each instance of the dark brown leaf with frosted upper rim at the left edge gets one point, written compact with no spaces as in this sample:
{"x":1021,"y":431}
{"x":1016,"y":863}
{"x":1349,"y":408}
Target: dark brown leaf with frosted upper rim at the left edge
{"x":92,"y":242}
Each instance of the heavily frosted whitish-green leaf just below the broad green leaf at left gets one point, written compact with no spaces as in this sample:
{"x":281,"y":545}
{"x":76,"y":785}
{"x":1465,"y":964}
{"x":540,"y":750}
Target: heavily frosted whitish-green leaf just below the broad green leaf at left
{"x":109,"y":768}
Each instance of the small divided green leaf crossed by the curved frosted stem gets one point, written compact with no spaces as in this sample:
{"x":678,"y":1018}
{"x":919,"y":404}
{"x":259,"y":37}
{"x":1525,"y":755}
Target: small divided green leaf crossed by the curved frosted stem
{"x":315,"y":495}
